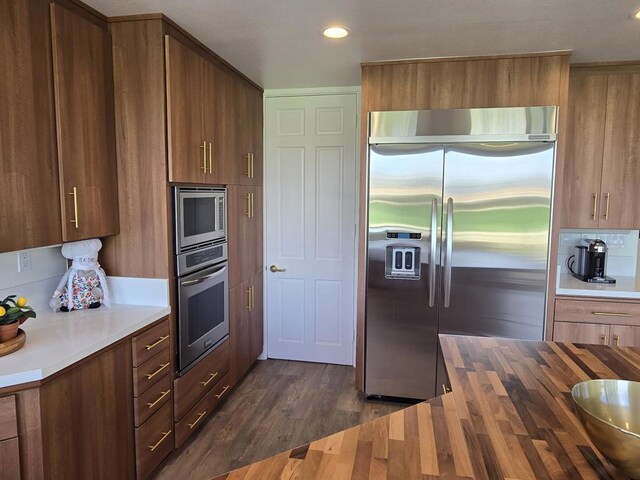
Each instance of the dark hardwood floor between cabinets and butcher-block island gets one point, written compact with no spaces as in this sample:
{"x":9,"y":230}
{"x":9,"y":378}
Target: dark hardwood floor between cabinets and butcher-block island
{"x":279,"y":405}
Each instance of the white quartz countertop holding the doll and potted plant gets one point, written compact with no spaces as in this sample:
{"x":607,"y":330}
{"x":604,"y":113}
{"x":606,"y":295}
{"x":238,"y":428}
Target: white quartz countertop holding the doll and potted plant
{"x":57,"y":340}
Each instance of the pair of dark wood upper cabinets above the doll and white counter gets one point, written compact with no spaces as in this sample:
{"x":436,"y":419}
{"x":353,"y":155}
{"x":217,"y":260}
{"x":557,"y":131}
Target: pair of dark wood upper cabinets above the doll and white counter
{"x":56,"y":89}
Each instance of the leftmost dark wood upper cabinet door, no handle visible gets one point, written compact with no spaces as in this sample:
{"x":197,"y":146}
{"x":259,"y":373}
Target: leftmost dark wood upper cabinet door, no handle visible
{"x":30,"y":212}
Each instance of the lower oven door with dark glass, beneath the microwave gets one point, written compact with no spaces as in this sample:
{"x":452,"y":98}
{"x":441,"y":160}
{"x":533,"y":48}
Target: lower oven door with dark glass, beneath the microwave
{"x":203,"y":312}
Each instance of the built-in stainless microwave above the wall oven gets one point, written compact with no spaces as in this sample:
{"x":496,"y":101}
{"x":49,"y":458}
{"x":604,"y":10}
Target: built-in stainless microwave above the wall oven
{"x":200,"y":217}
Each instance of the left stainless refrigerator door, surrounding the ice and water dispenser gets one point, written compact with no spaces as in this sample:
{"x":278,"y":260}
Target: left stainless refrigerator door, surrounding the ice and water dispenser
{"x":401,"y":329}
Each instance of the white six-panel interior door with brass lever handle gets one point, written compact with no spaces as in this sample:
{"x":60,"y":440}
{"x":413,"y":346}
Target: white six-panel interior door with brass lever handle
{"x":310,"y":208}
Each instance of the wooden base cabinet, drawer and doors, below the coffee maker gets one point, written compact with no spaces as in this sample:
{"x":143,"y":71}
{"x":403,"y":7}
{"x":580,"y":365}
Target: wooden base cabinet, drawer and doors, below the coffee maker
{"x":597,"y":321}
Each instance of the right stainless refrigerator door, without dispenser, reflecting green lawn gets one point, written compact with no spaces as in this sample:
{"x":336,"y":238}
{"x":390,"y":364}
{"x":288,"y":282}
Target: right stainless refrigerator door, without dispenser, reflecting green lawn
{"x":500,"y":240}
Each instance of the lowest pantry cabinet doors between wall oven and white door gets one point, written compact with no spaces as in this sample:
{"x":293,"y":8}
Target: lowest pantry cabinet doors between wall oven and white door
{"x":245,"y":325}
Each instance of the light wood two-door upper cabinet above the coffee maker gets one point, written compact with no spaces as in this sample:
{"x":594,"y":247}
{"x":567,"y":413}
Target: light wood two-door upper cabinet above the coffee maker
{"x":601,"y":172}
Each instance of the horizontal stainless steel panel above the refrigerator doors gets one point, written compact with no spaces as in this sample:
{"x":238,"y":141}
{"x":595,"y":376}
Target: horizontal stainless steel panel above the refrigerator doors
{"x":464,"y":125}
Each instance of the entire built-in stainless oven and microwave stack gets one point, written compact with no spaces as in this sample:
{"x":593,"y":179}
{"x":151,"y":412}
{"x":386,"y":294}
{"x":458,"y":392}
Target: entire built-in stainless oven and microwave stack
{"x":201,"y":268}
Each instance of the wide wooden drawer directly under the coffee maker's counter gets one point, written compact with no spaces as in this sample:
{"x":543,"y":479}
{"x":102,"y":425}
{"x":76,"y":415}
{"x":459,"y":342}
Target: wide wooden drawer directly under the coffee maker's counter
{"x":589,"y":311}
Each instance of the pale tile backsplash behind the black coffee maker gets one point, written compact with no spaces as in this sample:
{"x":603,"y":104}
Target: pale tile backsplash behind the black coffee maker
{"x":622,"y":253}
